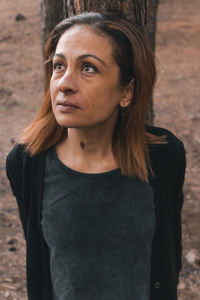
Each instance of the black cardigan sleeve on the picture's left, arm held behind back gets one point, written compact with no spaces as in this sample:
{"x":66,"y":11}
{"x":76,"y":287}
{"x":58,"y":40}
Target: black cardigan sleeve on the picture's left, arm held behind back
{"x":14,"y":170}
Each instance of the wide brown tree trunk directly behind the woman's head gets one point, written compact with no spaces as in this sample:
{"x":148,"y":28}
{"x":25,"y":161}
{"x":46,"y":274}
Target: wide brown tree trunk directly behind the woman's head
{"x":142,"y":12}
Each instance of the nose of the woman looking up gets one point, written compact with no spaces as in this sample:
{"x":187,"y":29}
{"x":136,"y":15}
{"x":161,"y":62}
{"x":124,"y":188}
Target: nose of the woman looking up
{"x":67,"y":83}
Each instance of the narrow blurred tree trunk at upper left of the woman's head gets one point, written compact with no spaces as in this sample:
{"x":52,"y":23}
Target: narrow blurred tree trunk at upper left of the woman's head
{"x":52,"y":12}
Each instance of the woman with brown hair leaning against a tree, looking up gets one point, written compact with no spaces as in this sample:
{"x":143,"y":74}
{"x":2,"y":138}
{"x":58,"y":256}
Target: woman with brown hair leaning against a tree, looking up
{"x":99,"y":192}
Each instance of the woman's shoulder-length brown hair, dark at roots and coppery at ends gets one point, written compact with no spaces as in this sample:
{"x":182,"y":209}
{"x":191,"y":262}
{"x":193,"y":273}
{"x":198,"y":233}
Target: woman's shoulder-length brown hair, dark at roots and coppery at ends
{"x":135,"y":59}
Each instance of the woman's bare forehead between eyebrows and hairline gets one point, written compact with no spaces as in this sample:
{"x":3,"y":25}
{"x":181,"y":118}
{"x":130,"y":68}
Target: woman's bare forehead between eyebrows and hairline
{"x":81,"y":39}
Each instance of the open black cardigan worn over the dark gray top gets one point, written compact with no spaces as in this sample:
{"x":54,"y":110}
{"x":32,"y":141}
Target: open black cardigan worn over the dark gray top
{"x":168,"y":161}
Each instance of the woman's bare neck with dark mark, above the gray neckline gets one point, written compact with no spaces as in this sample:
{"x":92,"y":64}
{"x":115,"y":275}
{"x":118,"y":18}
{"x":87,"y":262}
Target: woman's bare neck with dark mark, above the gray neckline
{"x":88,"y":149}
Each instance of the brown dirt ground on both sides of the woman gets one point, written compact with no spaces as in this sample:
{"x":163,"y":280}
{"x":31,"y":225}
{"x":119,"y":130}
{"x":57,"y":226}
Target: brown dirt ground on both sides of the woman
{"x":177,"y":107}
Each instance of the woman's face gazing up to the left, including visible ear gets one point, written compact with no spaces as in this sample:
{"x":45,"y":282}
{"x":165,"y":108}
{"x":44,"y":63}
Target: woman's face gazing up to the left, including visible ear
{"x":84,"y":85}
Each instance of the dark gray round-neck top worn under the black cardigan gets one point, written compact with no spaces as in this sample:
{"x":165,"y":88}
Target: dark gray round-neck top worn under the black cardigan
{"x":99,"y":229}
